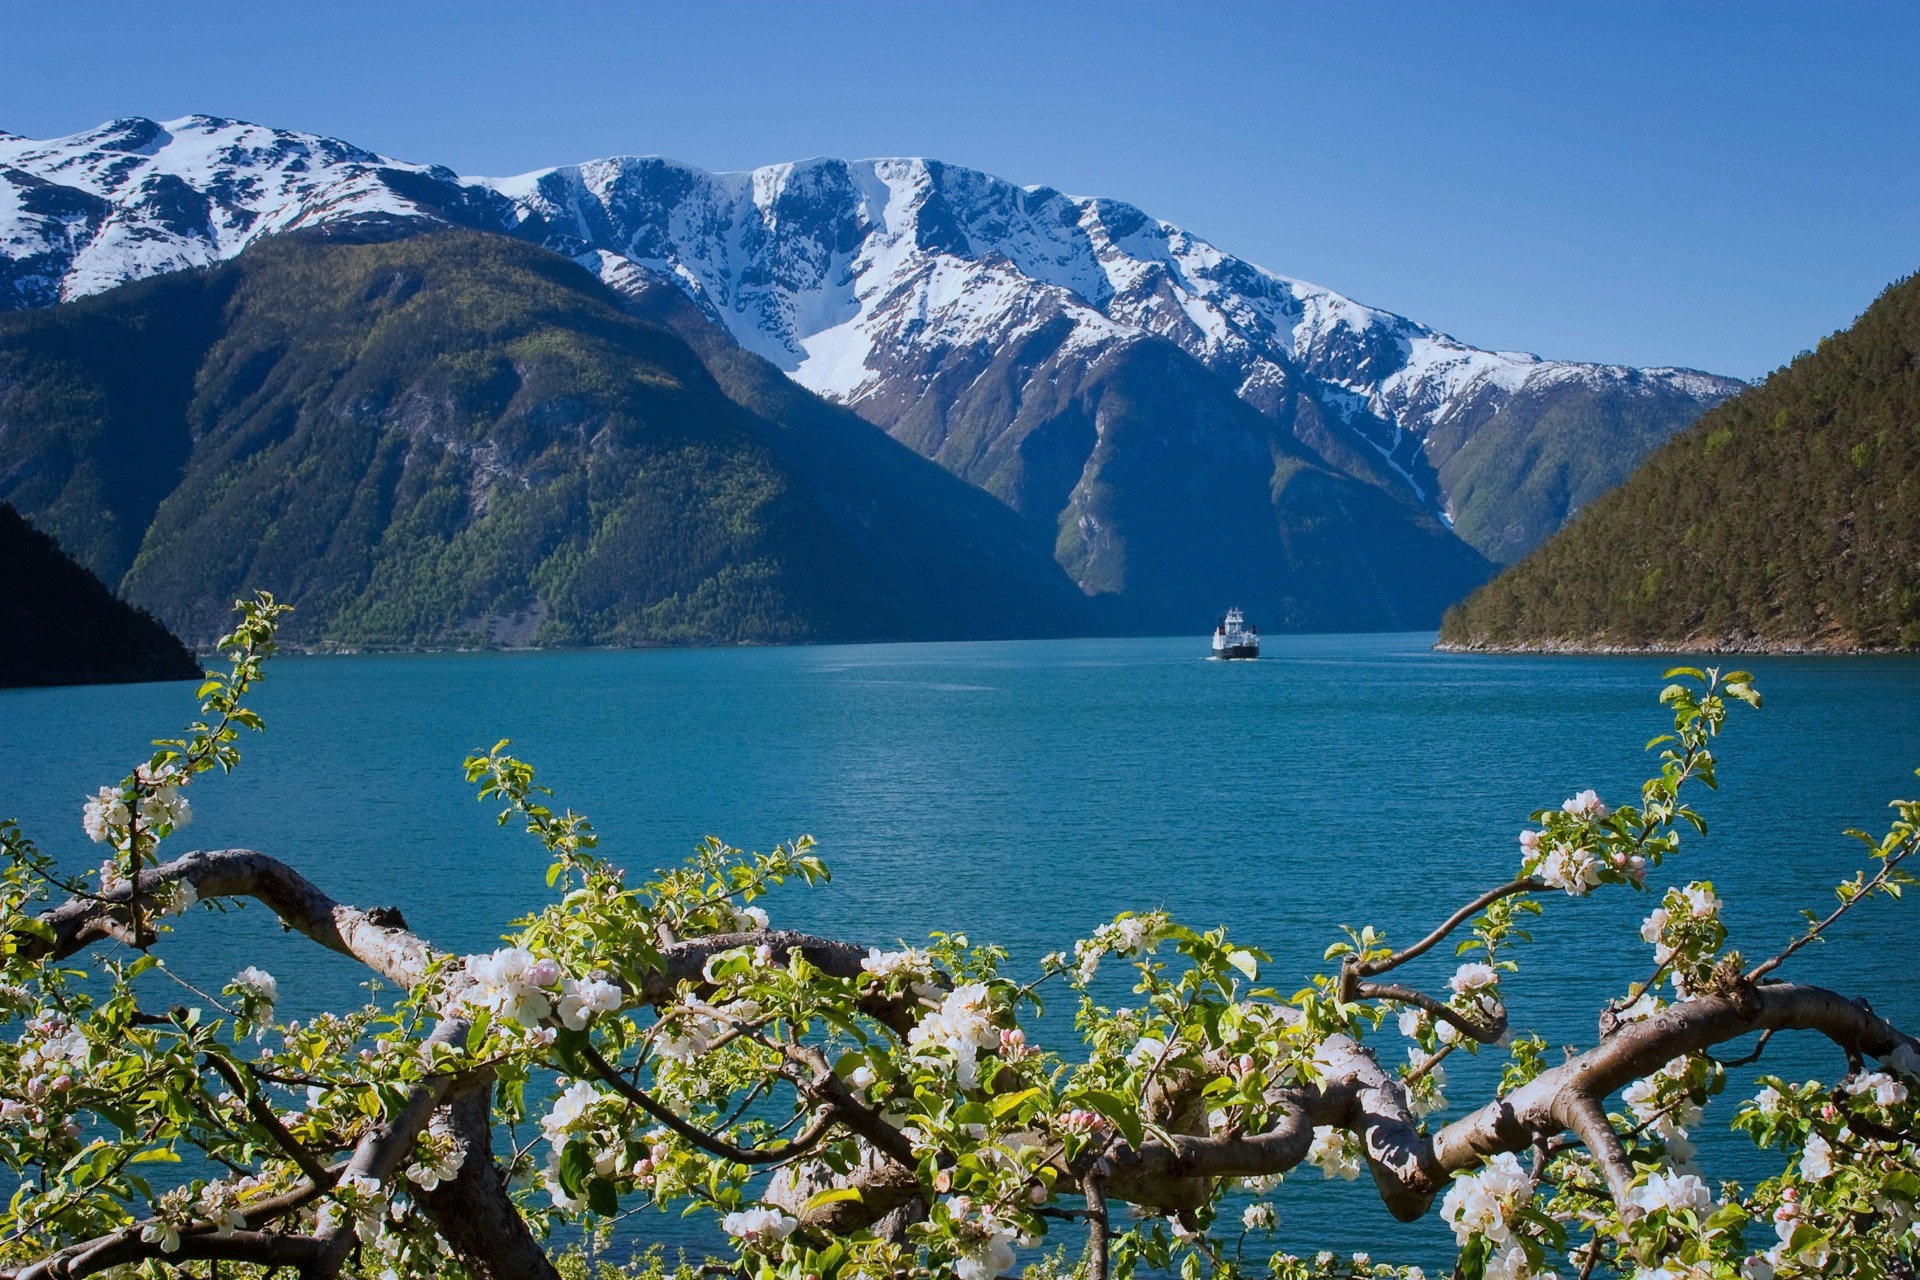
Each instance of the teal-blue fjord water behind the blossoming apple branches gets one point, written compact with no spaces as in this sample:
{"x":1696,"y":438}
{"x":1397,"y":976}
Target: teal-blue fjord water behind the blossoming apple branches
{"x":1028,"y":792}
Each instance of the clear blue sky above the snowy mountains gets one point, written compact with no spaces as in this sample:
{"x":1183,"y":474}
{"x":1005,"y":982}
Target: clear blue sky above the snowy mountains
{"x":1710,"y":185}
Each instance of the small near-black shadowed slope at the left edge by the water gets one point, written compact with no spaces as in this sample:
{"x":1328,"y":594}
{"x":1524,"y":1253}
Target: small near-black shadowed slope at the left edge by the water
{"x":60,"y":627}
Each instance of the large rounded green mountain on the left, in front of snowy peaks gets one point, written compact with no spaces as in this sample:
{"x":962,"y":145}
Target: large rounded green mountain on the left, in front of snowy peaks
{"x":460,"y":439}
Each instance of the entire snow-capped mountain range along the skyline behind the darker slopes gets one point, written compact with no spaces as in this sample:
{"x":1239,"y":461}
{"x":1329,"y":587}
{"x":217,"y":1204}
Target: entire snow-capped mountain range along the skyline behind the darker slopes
{"x":940,"y":302}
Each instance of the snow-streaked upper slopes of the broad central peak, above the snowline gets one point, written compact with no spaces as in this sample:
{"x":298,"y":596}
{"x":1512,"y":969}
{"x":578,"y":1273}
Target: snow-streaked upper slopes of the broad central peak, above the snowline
{"x":834,"y":270}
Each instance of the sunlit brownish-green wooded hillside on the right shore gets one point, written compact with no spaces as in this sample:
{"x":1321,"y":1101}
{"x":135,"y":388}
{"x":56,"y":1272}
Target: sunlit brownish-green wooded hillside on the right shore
{"x":1785,"y":519}
